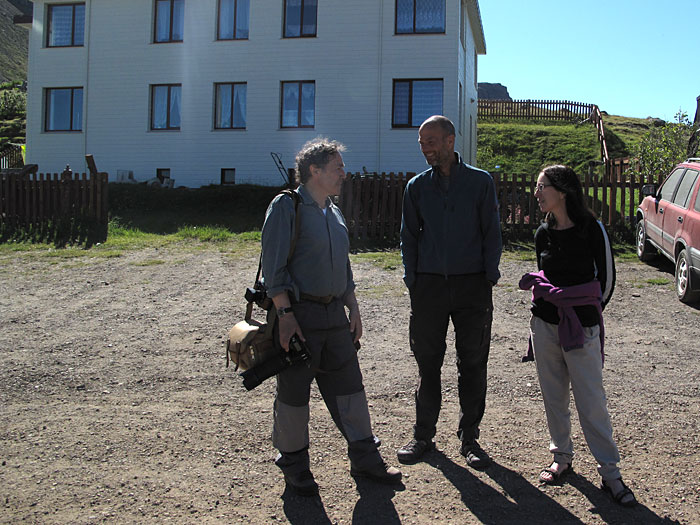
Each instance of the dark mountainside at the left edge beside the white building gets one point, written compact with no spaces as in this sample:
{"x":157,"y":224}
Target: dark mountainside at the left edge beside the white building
{"x":14,"y":40}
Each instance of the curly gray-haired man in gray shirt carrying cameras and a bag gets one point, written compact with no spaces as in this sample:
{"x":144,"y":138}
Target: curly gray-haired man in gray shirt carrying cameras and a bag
{"x":310,"y":292}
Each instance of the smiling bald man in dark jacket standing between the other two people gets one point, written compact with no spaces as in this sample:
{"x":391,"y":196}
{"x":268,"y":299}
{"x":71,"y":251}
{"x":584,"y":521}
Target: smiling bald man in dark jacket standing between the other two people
{"x":451,"y":248}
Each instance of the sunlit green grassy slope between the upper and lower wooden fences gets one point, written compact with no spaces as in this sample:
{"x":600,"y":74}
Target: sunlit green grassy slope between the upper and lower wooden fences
{"x":526,"y":147}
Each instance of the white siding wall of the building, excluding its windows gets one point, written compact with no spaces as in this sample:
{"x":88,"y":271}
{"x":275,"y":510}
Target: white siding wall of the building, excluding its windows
{"x":353,"y":64}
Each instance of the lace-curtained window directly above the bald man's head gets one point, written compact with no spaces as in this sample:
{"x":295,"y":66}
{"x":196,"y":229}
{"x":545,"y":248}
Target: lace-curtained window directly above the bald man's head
{"x":414,"y":101}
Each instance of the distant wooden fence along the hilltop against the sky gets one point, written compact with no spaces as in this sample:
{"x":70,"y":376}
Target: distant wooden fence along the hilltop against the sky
{"x":534,"y":110}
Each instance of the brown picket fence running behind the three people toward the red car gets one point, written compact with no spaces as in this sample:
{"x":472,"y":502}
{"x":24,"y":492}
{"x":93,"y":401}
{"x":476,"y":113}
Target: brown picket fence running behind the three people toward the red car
{"x":371,"y":203}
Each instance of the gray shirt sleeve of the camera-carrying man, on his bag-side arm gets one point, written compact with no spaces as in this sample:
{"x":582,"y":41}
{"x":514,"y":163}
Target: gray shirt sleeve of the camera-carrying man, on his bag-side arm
{"x":277,"y":233}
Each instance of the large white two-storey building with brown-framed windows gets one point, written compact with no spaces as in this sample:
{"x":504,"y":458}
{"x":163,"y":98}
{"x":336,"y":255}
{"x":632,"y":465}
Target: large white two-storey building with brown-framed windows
{"x":208,"y":88}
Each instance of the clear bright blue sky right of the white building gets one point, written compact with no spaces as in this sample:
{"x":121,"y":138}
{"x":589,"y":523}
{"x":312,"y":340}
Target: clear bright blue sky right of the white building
{"x":635,"y":58}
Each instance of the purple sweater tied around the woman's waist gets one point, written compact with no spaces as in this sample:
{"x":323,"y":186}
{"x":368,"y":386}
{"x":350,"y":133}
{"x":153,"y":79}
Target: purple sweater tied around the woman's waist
{"x":571,"y":334}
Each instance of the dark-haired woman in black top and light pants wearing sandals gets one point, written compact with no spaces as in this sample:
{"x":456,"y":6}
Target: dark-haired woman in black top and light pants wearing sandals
{"x":575,"y":282}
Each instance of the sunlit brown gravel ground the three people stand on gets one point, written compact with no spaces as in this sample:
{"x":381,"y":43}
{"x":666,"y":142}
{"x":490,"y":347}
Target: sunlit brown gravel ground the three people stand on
{"x":117,"y":407}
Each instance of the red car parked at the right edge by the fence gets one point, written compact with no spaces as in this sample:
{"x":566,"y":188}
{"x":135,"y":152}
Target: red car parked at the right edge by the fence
{"x":668,"y":220}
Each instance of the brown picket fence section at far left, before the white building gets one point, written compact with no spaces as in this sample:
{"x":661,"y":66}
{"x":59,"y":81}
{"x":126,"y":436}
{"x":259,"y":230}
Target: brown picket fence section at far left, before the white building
{"x":34,"y":200}
